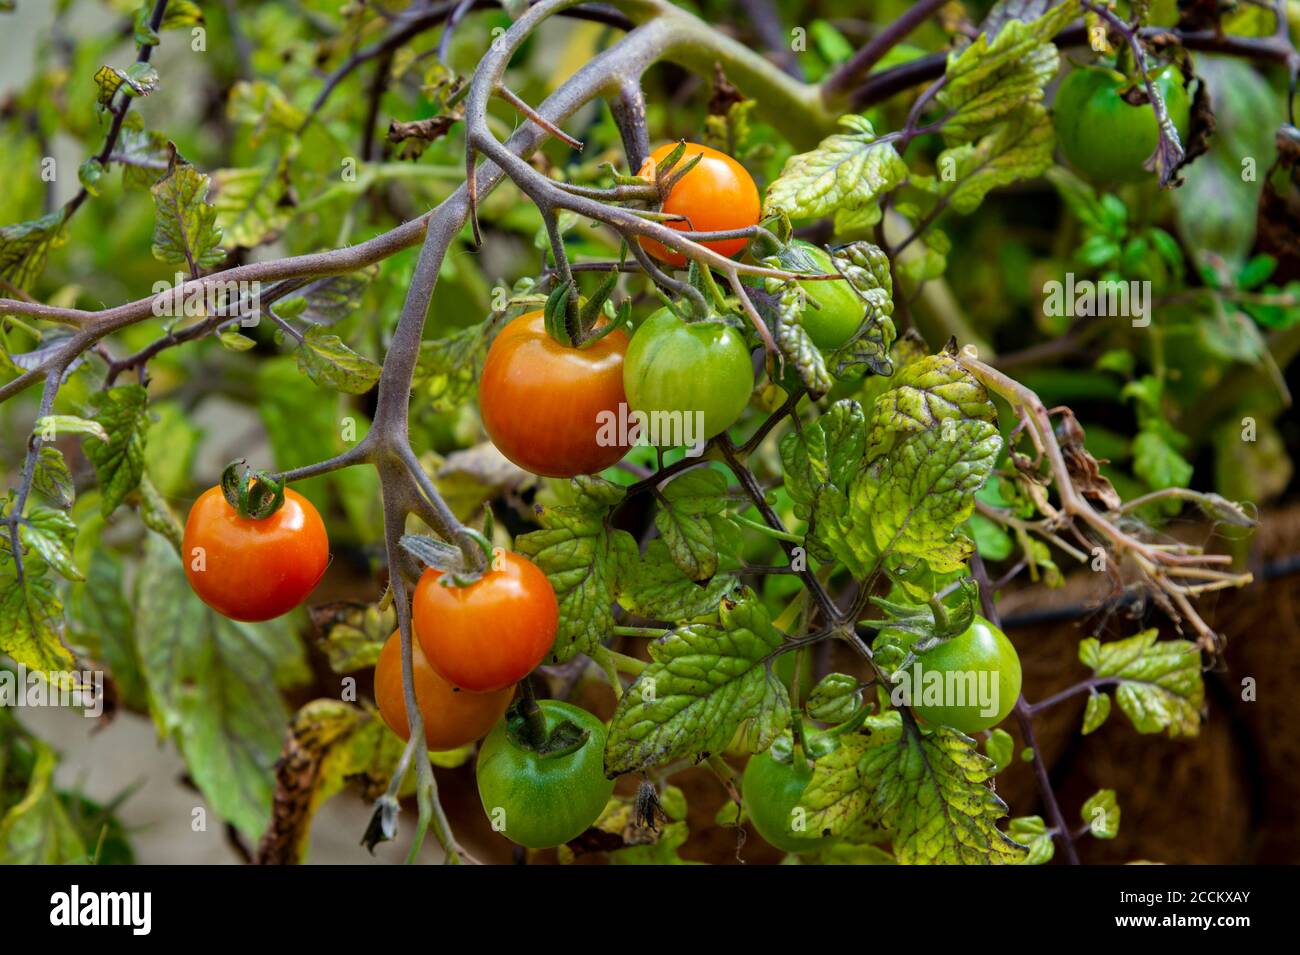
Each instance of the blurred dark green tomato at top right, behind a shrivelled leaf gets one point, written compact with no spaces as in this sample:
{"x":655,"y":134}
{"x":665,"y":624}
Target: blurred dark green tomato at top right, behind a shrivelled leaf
{"x":1102,"y":134}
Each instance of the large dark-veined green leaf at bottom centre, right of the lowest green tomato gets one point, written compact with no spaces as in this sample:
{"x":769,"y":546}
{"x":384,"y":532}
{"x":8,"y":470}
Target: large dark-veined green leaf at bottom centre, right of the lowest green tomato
{"x":707,"y":688}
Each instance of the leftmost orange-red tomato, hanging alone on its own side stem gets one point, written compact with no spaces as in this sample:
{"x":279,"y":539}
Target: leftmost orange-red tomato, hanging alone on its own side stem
{"x":248,"y":570}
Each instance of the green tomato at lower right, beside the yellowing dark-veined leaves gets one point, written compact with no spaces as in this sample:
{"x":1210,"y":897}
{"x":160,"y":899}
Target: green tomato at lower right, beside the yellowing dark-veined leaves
{"x":959,"y":678}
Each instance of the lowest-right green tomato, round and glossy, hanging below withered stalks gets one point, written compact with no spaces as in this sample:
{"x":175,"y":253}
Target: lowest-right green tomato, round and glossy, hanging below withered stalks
{"x":981,"y":650}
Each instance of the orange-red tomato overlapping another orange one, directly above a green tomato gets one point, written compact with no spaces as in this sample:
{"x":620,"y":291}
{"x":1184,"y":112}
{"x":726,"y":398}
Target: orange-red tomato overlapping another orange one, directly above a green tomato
{"x":493,"y":633}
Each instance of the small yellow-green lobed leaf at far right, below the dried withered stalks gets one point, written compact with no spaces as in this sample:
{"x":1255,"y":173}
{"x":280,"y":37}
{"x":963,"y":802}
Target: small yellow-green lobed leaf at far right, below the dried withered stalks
{"x":1160,"y":689}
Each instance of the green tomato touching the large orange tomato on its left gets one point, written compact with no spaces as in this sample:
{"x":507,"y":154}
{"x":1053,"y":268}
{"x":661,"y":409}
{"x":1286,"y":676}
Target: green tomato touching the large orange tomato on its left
{"x":688,"y":367}
